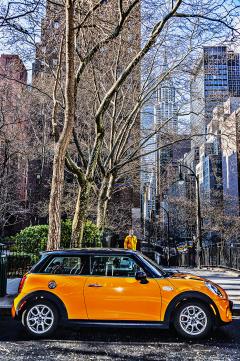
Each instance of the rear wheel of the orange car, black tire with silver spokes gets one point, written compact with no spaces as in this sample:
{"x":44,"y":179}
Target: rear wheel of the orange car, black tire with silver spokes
{"x":49,"y":318}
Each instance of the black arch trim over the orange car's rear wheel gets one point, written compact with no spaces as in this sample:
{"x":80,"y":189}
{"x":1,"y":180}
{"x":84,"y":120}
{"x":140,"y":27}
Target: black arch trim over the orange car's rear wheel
{"x":43,"y":295}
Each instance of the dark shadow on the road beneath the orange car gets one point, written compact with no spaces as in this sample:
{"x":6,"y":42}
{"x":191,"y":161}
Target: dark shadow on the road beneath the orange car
{"x":11,"y":330}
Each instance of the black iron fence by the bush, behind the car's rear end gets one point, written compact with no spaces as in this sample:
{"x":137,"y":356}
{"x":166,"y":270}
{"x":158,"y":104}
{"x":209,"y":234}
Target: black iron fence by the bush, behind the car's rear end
{"x":18,"y":261}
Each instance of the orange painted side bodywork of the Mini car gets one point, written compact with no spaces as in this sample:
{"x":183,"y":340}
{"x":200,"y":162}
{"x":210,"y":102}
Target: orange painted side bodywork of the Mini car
{"x":119,"y":298}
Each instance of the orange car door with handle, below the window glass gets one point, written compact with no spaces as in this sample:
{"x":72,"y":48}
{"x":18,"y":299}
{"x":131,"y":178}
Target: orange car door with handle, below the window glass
{"x":122,"y":299}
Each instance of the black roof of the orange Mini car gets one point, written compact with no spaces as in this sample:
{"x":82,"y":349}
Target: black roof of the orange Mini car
{"x":102,"y":251}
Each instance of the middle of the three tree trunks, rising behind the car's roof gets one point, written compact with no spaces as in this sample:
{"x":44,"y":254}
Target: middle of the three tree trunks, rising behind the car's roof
{"x":80,"y":215}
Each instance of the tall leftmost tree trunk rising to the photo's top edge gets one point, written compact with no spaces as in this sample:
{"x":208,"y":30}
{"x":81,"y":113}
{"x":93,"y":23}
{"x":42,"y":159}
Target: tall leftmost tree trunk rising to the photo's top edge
{"x":54,"y":234}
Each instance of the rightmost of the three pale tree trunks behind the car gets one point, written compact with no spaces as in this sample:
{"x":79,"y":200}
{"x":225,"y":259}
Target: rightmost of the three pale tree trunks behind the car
{"x":103,"y":200}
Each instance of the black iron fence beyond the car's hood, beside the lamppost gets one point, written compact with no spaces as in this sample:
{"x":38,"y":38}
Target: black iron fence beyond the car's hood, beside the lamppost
{"x":216,"y":255}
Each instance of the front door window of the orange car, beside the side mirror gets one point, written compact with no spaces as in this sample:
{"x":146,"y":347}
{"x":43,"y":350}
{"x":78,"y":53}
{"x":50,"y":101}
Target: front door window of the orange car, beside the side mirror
{"x":115,"y":266}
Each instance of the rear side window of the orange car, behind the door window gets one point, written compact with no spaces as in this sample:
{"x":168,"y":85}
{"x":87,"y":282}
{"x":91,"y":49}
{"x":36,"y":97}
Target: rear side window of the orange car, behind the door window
{"x":66,"y":265}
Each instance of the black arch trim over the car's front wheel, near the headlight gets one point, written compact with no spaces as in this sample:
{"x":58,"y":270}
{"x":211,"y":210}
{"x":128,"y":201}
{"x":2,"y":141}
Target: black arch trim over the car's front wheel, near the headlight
{"x":190,"y":296}
